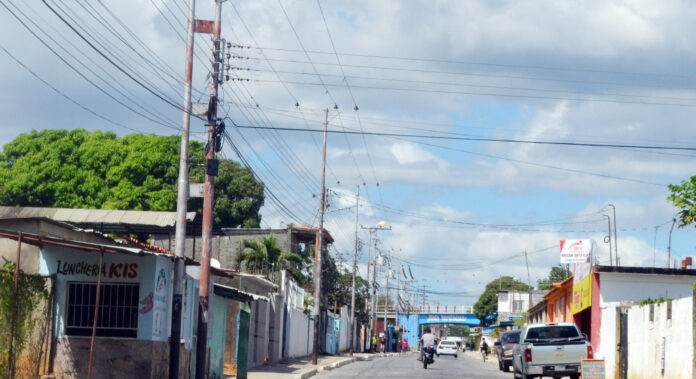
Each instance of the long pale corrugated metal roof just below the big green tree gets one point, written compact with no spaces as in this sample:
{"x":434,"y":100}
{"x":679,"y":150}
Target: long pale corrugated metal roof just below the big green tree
{"x":96,"y":216}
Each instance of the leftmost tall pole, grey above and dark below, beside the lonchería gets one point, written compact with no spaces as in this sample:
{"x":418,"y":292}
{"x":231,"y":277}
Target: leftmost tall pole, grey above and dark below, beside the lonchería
{"x":182,"y":198}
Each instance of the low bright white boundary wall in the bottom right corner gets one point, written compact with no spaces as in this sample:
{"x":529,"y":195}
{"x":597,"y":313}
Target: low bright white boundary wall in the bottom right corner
{"x":645,"y":340}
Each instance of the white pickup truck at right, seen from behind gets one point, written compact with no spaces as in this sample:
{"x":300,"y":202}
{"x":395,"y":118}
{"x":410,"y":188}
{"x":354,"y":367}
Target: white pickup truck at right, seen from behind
{"x":552,"y":349}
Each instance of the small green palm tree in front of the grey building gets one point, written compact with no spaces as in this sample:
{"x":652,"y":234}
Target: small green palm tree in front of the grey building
{"x":266,"y":256}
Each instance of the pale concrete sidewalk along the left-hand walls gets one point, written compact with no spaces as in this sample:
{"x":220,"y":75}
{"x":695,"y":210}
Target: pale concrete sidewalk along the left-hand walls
{"x":303,"y":368}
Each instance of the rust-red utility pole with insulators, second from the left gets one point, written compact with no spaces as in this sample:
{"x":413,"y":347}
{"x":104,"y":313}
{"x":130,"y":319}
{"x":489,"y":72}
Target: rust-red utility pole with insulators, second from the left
{"x":208,"y":201}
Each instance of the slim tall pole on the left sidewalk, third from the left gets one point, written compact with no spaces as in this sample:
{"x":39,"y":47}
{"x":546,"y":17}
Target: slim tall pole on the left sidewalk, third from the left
{"x":317,"y":252}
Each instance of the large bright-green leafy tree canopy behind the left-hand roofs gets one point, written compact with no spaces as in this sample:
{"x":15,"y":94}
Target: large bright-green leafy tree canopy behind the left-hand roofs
{"x":81,"y":169}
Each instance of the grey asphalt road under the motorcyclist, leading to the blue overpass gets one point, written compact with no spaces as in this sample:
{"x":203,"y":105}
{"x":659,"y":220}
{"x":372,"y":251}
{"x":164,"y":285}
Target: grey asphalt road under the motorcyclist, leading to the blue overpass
{"x":407,"y":366}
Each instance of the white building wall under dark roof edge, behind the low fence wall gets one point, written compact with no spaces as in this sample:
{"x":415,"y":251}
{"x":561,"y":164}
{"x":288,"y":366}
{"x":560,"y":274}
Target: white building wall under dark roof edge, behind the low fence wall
{"x":627,"y":288}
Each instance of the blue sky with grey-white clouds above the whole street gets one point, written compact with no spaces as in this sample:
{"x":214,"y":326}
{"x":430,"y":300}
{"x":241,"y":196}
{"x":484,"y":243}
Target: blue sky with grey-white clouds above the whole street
{"x":451,"y":89}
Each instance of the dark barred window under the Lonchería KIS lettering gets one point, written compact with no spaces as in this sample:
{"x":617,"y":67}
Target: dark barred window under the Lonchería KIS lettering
{"x":118,"y":309}
